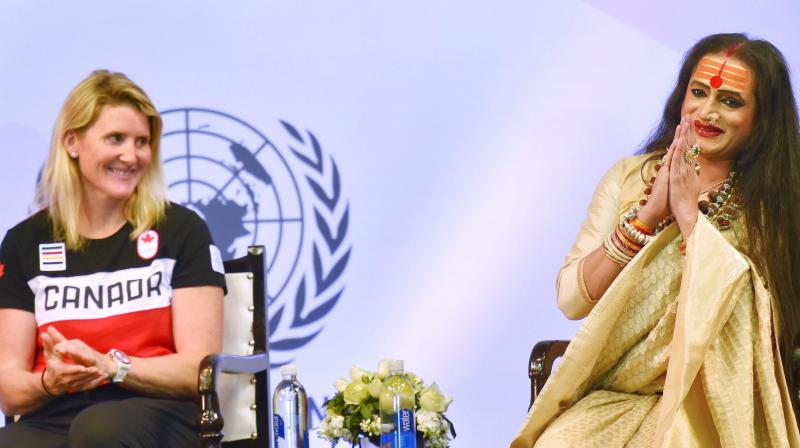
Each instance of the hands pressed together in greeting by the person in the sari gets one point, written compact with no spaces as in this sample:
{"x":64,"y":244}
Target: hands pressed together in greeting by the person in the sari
{"x":676,"y":186}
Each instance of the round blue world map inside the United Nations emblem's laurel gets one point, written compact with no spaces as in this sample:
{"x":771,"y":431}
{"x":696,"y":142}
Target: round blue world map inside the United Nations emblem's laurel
{"x":236,"y":179}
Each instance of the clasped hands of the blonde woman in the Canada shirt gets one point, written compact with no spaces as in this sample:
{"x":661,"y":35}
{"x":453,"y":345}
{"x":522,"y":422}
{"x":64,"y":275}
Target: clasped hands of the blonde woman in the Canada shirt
{"x":90,"y":369}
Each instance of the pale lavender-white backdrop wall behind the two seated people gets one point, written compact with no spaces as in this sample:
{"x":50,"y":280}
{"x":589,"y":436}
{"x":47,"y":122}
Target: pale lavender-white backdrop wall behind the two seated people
{"x":468,"y":137}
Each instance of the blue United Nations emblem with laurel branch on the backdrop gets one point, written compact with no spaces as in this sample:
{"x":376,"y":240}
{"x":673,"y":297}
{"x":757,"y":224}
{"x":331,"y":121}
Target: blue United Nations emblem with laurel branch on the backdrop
{"x":246,"y":188}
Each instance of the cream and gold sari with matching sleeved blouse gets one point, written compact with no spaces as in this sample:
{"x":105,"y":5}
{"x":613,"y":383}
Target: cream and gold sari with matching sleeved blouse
{"x":679,"y":351}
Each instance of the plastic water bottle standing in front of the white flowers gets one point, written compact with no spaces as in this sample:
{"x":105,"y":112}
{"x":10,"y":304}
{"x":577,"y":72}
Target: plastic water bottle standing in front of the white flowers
{"x":398,"y":428}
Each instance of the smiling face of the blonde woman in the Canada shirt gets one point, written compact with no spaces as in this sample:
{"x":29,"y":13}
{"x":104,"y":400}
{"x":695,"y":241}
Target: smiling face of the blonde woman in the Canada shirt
{"x":113,"y":155}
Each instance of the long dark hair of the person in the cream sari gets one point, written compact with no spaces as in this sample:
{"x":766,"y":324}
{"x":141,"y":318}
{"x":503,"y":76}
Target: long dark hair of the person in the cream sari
{"x":769,"y":175}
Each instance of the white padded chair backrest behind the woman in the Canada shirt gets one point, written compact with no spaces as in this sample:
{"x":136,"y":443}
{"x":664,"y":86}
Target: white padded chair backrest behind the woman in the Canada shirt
{"x":243,"y":396}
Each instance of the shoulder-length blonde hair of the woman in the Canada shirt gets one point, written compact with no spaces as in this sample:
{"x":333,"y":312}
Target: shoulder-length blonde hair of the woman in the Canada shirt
{"x":60,"y":186}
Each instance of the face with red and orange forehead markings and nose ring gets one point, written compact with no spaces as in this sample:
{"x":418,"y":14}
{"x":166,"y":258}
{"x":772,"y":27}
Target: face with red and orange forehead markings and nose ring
{"x":720,"y":102}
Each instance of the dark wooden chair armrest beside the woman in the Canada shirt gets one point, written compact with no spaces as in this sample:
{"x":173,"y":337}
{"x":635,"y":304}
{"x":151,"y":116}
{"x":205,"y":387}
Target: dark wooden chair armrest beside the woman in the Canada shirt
{"x":210,"y":421}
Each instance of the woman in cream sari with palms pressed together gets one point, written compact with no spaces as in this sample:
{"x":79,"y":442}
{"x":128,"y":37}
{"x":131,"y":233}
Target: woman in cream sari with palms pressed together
{"x":687,"y":270}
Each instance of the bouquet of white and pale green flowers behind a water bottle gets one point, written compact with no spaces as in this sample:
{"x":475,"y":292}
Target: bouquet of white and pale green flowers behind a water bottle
{"x":353,"y":411}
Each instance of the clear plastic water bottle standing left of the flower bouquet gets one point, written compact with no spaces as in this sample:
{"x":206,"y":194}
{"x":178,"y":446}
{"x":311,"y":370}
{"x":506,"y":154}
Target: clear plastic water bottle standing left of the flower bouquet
{"x":290,"y":411}
